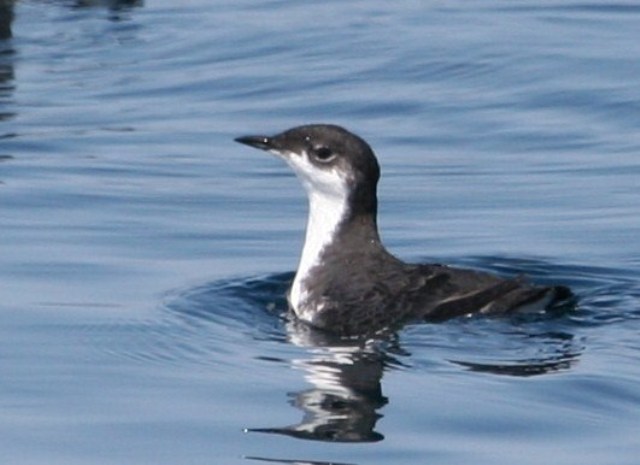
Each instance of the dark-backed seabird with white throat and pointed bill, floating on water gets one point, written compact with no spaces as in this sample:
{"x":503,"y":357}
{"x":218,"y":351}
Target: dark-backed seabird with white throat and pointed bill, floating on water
{"x":347,"y":283}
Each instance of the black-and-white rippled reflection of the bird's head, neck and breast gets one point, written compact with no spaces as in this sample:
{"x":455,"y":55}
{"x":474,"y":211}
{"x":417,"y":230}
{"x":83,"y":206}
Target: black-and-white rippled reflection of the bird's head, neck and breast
{"x":342,"y":404}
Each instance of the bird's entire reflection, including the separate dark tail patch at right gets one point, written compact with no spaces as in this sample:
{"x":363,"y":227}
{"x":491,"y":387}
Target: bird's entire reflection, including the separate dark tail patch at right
{"x":344,"y":402}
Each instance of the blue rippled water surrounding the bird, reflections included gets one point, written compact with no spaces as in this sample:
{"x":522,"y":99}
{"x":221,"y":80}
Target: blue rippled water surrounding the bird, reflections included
{"x":144,"y":255}
